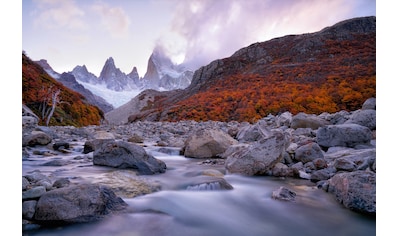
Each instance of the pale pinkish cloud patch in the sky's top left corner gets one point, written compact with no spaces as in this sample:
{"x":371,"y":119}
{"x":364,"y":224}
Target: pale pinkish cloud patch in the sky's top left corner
{"x":59,"y":14}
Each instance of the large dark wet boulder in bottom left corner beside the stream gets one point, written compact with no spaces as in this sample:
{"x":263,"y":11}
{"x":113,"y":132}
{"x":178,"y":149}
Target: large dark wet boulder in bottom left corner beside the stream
{"x":77,"y":204}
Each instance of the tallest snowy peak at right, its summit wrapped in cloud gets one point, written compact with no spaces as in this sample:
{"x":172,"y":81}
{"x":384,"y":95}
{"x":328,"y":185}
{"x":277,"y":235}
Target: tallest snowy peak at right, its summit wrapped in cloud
{"x":162,"y":74}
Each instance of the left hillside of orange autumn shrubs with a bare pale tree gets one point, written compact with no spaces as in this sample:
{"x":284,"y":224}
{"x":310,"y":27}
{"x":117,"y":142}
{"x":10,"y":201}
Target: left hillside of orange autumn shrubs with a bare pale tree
{"x":40,"y":91}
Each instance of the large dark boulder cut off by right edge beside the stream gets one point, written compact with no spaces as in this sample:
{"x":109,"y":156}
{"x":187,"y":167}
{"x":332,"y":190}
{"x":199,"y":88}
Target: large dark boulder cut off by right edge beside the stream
{"x":355,"y":190}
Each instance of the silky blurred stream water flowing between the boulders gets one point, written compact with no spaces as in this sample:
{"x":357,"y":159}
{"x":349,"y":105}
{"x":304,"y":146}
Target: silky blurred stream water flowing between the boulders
{"x":184,"y":207}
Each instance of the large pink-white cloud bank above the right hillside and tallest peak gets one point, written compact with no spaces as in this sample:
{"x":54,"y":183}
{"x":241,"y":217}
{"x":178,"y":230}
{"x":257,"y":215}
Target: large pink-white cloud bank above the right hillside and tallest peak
{"x":207,"y":30}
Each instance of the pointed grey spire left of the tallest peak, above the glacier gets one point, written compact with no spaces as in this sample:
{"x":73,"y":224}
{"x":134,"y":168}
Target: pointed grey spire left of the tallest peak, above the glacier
{"x":114,"y":78}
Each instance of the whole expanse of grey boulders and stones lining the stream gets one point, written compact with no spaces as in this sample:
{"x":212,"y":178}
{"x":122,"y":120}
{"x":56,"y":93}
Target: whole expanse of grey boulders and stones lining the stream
{"x":336,"y":151}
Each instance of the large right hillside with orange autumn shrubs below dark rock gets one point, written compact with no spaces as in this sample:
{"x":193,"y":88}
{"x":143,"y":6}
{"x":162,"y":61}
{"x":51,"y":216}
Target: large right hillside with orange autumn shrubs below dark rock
{"x":326,"y":71}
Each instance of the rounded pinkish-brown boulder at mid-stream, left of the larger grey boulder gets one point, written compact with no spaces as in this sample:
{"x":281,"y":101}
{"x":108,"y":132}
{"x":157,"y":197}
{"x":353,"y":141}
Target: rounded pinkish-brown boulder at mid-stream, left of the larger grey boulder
{"x":207,"y":143}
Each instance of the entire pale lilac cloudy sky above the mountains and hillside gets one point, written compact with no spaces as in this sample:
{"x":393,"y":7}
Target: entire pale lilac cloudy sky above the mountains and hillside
{"x":68,"y":33}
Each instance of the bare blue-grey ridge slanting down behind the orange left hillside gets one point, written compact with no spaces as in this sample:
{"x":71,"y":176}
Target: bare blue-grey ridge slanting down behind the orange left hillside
{"x":69,"y":81}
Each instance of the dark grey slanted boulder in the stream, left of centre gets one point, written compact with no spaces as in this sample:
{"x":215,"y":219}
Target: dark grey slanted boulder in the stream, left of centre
{"x":121,"y":154}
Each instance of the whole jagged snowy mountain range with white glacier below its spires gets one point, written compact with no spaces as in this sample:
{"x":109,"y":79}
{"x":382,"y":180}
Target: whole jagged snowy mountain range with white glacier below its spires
{"x":113,"y":87}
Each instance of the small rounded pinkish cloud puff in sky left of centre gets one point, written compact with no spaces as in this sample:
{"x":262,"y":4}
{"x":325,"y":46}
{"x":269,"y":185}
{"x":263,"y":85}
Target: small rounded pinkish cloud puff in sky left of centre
{"x":113,"y":19}
